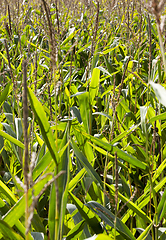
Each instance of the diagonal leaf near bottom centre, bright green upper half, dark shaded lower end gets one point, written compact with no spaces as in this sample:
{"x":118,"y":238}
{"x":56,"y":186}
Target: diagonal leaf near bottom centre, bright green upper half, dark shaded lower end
{"x":87,"y":214}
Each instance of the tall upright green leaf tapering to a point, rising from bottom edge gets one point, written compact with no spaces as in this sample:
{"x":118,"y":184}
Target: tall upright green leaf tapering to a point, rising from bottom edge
{"x":57,"y":206}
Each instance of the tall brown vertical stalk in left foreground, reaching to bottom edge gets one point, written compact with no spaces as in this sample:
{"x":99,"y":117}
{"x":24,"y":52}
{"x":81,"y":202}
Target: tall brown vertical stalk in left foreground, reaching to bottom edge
{"x":26,"y":155}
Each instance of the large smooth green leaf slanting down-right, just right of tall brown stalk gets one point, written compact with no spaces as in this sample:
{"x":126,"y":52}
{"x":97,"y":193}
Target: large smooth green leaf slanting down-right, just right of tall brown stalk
{"x":44,"y":124}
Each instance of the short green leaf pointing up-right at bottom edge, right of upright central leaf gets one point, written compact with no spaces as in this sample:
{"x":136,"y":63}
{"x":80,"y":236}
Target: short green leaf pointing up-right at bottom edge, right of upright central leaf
{"x":75,"y":233}
